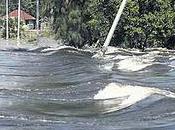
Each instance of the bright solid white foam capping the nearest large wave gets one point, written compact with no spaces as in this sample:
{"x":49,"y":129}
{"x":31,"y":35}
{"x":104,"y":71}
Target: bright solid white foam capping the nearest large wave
{"x":114,"y":90}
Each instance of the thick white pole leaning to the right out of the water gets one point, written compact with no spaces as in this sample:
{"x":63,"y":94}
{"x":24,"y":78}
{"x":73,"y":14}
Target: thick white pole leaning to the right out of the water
{"x":114,"y":25}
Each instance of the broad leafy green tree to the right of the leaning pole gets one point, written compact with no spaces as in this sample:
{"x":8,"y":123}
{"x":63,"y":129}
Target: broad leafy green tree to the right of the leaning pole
{"x":149,"y":23}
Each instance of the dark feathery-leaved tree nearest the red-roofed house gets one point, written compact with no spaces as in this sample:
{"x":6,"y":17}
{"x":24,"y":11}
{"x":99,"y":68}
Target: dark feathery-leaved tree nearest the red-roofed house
{"x":67,"y":22}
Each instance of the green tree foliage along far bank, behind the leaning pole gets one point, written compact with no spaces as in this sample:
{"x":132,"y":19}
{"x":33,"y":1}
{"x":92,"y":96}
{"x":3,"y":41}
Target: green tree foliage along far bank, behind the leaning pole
{"x":144,"y":23}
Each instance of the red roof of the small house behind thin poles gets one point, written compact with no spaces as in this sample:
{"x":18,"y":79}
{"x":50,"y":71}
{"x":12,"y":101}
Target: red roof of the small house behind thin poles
{"x":24,"y":15}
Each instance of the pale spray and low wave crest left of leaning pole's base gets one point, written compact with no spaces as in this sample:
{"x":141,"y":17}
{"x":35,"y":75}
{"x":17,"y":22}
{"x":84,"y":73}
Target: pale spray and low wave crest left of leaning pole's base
{"x":43,"y":45}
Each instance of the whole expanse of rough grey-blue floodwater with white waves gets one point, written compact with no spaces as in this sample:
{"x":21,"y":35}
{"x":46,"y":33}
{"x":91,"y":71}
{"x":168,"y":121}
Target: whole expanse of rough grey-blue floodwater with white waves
{"x":62,"y":88}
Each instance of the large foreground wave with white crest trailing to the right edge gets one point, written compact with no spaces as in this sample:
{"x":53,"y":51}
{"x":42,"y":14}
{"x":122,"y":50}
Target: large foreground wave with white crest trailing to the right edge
{"x":129,"y":94}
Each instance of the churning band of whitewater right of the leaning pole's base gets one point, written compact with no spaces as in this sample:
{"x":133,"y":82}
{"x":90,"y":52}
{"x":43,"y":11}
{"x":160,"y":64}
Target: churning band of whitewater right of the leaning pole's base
{"x":132,"y":60}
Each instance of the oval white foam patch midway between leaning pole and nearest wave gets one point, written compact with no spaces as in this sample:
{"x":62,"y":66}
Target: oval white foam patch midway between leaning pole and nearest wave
{"x":134,"y":63}
